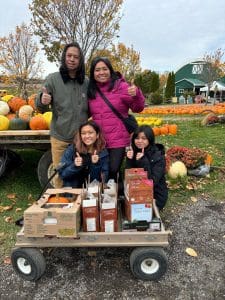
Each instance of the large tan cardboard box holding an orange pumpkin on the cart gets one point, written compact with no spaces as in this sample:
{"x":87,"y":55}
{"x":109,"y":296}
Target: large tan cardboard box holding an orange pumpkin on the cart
{"x":50,"y":219}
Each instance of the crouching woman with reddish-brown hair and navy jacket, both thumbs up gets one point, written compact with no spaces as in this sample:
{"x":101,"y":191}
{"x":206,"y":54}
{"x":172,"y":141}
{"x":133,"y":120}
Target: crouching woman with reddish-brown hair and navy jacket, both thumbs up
{"x":86,"y":158}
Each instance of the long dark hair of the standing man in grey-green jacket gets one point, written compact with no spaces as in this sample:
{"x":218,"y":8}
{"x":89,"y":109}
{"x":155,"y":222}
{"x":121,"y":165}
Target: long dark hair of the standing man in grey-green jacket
{"x":80,"y":72}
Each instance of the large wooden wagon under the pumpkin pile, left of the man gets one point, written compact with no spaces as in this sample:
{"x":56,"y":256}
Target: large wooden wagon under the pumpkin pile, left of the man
{"x":27,"y":139}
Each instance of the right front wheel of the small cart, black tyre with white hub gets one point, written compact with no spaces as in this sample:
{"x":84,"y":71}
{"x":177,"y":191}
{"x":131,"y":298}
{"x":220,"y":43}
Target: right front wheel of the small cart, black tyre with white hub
{"x":148,"y":263}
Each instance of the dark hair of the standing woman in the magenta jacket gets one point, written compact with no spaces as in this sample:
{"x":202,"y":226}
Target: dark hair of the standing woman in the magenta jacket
{"x":92,"y":86}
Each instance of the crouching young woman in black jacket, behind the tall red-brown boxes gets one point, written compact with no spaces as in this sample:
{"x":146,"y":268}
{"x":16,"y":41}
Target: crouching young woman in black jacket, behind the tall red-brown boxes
{"x":144,"y":153}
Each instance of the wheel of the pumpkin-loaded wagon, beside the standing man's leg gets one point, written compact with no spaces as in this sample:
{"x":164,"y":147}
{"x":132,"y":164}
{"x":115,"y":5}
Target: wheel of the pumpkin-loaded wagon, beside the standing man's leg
{"x":45,"y":169}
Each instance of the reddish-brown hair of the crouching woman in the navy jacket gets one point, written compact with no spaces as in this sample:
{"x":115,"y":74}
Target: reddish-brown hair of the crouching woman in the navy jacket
{"x":99,"y":144}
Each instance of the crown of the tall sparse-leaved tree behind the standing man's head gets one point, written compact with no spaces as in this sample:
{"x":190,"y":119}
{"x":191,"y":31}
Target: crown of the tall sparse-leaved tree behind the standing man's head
{"x":91,"y":23}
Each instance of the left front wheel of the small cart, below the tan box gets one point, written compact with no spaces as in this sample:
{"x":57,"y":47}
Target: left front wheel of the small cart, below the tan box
{"x":29,"y":263}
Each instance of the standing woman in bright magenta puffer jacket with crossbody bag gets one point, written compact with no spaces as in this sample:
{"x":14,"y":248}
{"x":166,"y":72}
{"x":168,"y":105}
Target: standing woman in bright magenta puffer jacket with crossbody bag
{"x":123,"y":97}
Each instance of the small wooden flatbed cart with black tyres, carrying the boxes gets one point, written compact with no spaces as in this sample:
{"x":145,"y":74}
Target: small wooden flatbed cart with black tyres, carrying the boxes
{"x":148,"y":260}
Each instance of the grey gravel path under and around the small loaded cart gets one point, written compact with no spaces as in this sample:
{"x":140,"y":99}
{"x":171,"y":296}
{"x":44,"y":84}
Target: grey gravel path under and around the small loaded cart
{"x":71,"y":274}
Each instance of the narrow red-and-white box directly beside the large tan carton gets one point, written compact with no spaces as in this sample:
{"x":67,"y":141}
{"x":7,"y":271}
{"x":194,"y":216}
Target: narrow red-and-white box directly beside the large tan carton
{"x":90,"y":213}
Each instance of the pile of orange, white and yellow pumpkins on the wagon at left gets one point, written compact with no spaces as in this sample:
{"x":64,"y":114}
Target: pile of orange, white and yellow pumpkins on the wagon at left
{"x":19,"y":114}
